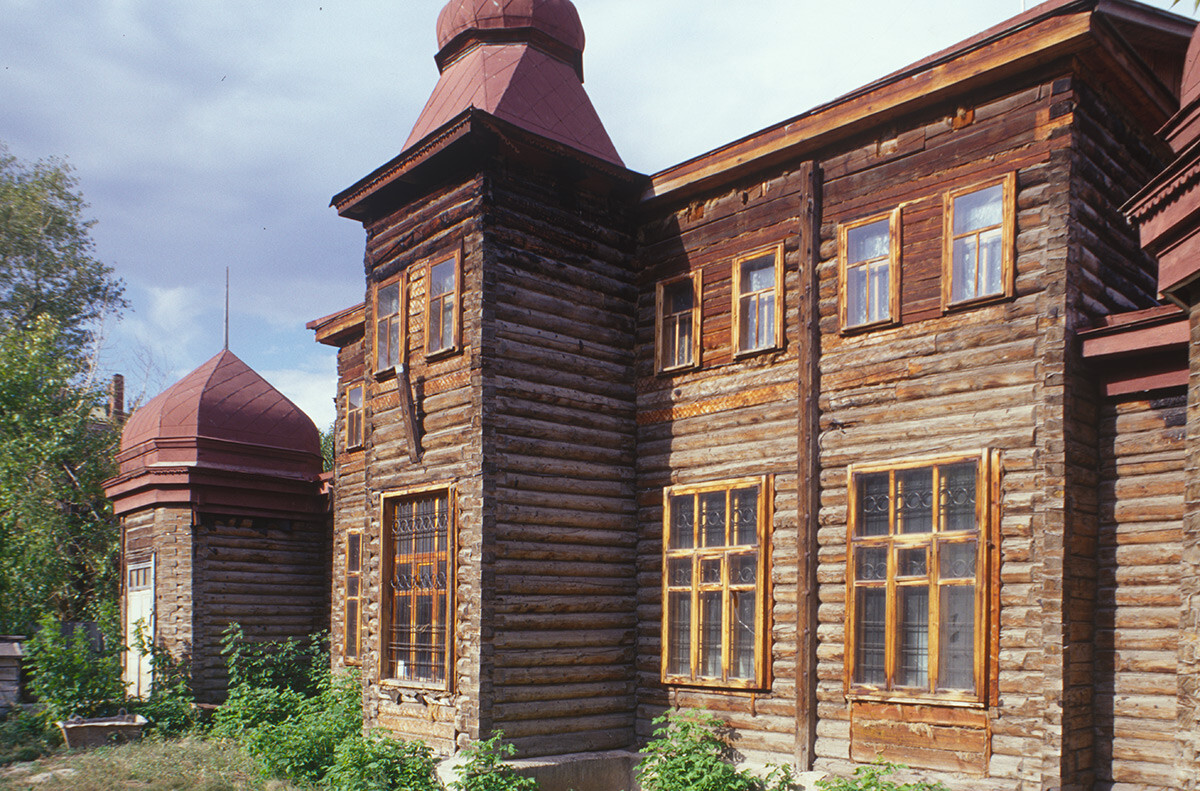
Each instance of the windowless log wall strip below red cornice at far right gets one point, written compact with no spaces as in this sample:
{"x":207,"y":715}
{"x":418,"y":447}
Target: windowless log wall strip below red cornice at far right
{"x":1143,"y":452}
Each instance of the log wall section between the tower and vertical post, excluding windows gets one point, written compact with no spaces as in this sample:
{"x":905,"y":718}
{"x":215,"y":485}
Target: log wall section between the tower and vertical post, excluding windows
{"x":729,"y":418}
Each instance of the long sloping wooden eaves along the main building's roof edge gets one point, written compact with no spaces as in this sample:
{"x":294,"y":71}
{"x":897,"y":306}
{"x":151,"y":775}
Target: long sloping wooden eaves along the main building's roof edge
{"x":1040,"y":37}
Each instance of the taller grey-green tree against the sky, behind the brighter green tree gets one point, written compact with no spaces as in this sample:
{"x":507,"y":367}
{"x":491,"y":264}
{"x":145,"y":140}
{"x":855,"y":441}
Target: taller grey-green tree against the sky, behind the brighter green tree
{"x":47,"y":267}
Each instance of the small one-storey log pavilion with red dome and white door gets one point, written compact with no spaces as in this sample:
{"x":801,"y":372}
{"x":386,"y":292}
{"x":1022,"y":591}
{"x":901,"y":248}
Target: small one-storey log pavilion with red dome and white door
{"x":223,"y":522}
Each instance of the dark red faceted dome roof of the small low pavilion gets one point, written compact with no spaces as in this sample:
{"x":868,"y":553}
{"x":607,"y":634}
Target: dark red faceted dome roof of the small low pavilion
{"x":224,"y":399}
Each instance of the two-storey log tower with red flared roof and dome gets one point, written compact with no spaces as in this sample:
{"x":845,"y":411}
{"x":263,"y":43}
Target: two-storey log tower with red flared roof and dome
{"x":491,"y":489}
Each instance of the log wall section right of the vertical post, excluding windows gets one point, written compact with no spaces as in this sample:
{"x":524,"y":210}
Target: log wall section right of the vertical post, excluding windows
{"x":952,"y":383}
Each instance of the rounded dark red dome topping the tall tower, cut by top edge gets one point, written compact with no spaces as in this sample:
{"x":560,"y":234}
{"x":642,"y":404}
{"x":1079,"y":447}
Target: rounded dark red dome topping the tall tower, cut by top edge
{"x":556,"y":19}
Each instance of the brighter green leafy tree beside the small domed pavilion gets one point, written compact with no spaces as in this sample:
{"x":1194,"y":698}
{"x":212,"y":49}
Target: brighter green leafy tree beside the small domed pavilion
{"x":58,"y":542}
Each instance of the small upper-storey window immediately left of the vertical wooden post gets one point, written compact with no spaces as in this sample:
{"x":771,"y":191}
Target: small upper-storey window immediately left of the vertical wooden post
{"x":758,"y":285}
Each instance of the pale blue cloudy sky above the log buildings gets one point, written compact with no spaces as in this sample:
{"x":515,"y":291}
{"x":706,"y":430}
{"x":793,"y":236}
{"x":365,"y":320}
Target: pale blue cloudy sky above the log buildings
{"x":211,"y":135}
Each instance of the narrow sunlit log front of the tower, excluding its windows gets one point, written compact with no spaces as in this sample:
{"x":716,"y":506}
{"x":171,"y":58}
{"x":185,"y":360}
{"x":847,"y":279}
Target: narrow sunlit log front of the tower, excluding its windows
{"x":447,"y":402}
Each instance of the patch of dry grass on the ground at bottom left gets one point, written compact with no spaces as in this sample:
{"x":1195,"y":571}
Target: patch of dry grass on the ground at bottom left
{"x":187,"y":764}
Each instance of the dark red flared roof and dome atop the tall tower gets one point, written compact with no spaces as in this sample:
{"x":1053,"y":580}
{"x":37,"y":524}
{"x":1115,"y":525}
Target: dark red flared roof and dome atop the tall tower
{"x":520,"y":61}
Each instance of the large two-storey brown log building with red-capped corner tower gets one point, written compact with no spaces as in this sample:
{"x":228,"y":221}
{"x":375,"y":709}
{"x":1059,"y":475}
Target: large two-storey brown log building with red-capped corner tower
{"x":869,"y":433}
